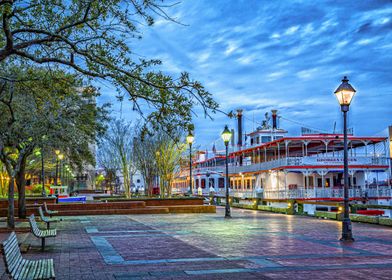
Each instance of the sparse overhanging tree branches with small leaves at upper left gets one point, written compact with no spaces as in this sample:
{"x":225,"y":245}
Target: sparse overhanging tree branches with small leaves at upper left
{"x":91,"y":37}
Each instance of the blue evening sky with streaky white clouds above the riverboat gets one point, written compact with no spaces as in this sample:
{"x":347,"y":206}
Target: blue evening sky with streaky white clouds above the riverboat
{"x":286,"y":55}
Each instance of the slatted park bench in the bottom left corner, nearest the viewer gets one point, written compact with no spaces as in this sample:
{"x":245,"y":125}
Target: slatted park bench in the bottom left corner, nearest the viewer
{"x":19,"y":268}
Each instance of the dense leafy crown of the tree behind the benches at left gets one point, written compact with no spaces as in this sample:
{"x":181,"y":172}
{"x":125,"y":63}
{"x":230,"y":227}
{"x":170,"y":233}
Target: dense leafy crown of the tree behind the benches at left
{"x":48,"y":111}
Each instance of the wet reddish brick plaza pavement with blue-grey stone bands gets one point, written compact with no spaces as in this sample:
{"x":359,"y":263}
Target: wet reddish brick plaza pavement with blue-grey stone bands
{"x":251,"y":245}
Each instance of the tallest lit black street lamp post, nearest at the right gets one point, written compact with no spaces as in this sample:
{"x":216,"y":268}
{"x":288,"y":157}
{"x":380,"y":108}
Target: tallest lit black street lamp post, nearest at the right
{"x":345,"y":93}
